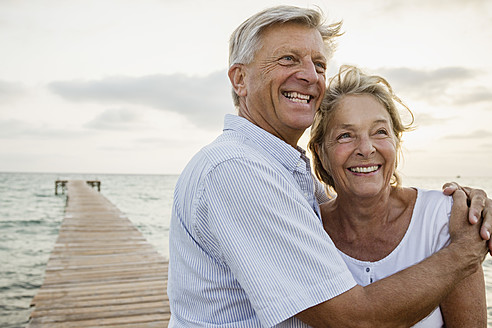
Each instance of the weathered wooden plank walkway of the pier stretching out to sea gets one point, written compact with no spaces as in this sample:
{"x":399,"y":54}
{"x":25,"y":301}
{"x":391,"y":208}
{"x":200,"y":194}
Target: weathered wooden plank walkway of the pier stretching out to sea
{"x":102,"y":272}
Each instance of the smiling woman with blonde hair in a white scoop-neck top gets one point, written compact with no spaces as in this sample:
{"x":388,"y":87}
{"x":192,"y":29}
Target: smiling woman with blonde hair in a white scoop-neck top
{"x":378,"y":226}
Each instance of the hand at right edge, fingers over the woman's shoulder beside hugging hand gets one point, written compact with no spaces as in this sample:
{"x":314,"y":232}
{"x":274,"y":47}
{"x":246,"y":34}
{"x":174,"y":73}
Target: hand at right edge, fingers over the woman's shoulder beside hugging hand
{"x":480,"y":207}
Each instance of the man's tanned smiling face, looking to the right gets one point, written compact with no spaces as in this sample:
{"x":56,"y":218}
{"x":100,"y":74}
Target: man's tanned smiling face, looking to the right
{"x":285,"y":83}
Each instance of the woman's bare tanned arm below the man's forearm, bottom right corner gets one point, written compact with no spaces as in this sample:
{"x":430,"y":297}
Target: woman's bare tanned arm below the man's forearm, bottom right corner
{"x":465,"y":306}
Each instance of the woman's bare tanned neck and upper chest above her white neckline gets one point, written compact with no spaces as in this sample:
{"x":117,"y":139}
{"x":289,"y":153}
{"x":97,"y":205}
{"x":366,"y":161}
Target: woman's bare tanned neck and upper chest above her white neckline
{"x":369,"y":228}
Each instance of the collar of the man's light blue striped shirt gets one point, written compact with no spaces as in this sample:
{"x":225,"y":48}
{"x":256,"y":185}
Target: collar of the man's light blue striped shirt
{"x":294,"y":159}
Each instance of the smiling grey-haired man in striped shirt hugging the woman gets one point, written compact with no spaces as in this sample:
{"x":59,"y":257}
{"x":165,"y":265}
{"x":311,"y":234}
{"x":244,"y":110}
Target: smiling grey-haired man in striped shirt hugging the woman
{"x":247,"y":247}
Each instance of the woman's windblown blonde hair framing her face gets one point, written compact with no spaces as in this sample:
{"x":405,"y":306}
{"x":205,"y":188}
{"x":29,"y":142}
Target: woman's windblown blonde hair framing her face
{"x":351,"y":80}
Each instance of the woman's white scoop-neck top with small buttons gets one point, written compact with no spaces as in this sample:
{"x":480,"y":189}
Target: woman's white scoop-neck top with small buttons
{"x":427,"y":233}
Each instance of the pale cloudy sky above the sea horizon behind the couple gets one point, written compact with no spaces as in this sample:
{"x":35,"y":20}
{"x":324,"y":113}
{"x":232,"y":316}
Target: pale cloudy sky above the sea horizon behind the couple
{"x":125,"y":86}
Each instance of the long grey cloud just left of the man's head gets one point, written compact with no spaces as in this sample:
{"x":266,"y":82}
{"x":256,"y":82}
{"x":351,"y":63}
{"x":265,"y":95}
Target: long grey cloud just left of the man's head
{"x":203,"y":100}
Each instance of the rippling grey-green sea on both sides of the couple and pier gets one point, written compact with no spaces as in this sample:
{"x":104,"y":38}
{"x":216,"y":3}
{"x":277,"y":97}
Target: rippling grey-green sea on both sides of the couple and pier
{"x":31,"y":214}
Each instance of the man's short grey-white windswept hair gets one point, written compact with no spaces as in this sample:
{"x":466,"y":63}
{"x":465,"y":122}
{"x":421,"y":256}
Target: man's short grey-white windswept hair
{"x":246,"y":39}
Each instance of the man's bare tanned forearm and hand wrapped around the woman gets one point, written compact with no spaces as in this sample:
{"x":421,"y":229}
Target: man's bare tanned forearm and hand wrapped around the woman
{"x":408,"y":296}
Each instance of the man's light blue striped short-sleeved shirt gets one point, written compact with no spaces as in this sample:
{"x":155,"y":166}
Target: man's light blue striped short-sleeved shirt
{"x":247,"y":246}
